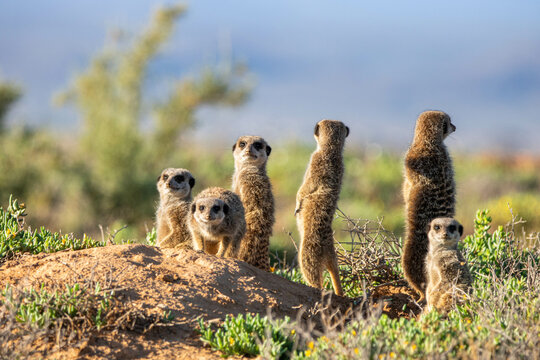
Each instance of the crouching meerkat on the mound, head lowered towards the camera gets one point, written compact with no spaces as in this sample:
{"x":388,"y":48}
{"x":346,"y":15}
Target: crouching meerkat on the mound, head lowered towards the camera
{"x":216,"y":222}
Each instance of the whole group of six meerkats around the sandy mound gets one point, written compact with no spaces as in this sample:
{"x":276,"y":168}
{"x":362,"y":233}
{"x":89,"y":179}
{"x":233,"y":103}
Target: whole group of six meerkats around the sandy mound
{"x":238,"y":223}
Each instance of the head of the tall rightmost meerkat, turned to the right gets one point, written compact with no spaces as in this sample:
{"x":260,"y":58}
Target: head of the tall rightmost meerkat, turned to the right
{"x":433,"y":125}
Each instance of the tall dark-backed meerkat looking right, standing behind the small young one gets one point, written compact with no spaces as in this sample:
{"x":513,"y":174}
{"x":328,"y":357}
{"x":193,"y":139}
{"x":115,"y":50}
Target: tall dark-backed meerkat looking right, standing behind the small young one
{"x":428,"y":190}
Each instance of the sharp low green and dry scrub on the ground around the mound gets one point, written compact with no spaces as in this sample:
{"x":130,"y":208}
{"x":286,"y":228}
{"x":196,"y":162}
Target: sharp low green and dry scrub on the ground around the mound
{"x":500,"y":319}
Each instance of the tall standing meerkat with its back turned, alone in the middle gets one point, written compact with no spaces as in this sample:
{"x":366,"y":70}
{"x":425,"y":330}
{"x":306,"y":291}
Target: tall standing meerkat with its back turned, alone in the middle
{"x":316,"y":204}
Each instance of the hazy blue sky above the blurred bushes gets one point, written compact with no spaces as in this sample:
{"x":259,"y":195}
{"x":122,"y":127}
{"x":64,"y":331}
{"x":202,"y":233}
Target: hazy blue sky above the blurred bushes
{"x":373,"y":65}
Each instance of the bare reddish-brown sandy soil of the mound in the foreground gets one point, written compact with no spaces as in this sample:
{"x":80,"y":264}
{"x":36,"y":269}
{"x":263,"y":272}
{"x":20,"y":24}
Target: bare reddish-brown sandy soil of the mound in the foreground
{"x":189,"y":285}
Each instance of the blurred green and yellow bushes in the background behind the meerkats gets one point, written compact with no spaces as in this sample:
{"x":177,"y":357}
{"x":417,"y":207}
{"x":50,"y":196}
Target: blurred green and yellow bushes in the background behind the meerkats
{"x":105,"y":175}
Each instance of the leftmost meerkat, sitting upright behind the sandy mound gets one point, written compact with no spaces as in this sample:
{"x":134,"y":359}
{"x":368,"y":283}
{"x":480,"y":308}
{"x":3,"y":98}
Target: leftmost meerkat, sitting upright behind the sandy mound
{"x":174,"y":186}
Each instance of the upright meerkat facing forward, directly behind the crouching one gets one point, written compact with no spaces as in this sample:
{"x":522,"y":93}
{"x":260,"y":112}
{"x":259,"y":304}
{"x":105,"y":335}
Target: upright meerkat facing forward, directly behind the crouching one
{"x":252,"y":184}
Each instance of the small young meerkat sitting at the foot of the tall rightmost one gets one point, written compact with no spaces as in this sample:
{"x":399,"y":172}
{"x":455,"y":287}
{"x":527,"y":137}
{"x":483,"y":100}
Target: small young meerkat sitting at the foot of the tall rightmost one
{"x":449,"y":279}
